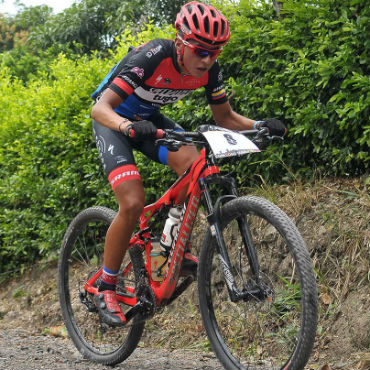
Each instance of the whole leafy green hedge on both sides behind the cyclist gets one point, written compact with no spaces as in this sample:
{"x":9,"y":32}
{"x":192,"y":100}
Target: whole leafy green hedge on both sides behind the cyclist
{"x":309,"y":68}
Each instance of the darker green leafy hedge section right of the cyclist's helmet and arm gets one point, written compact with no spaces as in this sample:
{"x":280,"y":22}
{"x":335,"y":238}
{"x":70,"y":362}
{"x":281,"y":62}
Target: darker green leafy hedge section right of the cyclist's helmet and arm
{"x":309,"y":68}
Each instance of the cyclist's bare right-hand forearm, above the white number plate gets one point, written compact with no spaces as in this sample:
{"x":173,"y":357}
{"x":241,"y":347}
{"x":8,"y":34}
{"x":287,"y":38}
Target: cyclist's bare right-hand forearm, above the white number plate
{"x":224,"y":116}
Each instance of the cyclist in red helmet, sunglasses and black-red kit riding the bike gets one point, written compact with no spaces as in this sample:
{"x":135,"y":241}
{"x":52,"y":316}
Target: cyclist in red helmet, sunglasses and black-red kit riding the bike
{"x":128,"y":102}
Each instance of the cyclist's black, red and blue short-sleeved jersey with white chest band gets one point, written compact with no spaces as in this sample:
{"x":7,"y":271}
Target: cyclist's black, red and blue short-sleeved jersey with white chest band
{"x":149,"y":77}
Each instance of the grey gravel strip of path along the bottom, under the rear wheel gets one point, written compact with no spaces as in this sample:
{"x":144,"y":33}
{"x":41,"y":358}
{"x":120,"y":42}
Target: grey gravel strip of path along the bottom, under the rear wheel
{"x":20,"y":350}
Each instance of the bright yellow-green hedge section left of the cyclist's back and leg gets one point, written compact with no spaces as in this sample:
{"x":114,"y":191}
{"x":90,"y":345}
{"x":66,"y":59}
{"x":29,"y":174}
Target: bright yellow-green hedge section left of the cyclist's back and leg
{"x":50,"y":168}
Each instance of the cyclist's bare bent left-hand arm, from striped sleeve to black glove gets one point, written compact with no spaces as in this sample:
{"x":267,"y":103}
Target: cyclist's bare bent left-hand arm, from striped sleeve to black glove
{"x":103,"y":111}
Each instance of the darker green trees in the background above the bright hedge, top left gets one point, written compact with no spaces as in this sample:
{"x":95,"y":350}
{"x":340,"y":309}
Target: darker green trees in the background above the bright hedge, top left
{"x":90,"y":25}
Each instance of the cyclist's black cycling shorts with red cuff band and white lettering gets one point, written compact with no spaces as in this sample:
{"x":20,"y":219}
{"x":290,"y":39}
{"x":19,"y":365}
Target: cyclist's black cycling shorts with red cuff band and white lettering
{"x":115,"y":149}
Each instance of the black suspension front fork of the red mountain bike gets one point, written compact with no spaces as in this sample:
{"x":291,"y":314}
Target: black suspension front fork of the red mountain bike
{"x":214,"y":219}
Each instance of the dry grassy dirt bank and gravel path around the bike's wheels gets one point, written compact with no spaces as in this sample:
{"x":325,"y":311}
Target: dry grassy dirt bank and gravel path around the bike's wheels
{"x":337,"y":212}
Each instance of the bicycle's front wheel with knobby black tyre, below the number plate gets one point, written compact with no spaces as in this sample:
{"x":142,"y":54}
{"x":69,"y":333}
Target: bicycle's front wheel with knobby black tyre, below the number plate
{"x":273,"y":325}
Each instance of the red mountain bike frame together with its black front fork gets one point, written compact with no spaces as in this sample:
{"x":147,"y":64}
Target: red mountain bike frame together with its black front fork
{"x":196,"y":180}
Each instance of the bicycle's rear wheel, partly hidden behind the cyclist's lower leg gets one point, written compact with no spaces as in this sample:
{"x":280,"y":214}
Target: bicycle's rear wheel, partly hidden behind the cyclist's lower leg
{"x":81,"y":257}
